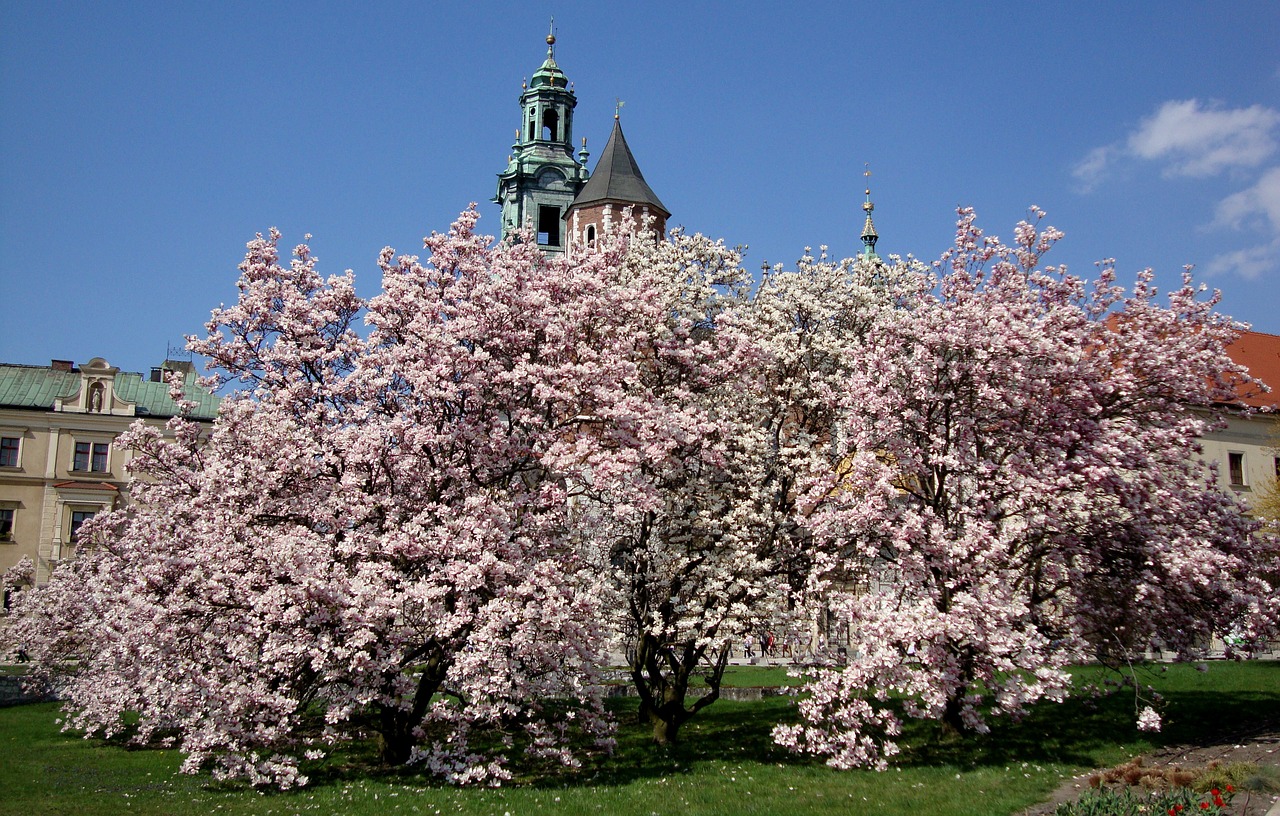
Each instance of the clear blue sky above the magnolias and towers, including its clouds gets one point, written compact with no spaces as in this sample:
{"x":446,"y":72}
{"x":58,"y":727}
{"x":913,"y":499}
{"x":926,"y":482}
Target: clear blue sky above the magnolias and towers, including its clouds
{"x":143,"y":144}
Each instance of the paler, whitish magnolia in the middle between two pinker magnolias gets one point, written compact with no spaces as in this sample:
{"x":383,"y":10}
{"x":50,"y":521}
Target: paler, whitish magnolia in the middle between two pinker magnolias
{"x":730,"y":411}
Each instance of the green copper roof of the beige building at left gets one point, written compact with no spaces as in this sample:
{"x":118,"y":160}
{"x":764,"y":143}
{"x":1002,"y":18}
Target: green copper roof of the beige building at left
{"x":39,"y":387}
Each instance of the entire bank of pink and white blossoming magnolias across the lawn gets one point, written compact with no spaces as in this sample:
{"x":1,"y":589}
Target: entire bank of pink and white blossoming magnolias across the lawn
{"x":429,"y":533}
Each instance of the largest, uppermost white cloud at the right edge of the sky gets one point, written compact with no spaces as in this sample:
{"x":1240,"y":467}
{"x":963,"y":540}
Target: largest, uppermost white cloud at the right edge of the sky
{"x":1203,"y":141}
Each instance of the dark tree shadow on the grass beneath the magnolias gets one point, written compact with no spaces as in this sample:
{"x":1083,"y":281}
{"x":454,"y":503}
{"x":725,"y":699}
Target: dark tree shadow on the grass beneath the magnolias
{"x":1077,"y":732}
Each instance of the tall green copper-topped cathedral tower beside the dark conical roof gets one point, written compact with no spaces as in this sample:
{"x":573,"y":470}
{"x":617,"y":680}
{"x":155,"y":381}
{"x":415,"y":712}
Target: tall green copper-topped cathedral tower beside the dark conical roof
{"x":543,"y":177}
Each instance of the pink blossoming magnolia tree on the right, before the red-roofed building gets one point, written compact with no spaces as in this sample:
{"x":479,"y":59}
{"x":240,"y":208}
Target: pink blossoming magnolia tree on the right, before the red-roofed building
{"x":1028,"y":489}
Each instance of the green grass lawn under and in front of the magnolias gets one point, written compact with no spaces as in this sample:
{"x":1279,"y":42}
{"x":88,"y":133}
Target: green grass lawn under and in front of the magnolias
{"x":725,"y":765}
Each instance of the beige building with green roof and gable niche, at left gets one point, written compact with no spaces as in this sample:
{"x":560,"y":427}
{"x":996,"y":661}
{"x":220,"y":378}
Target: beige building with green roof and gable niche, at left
{"x":58,"y":461}
